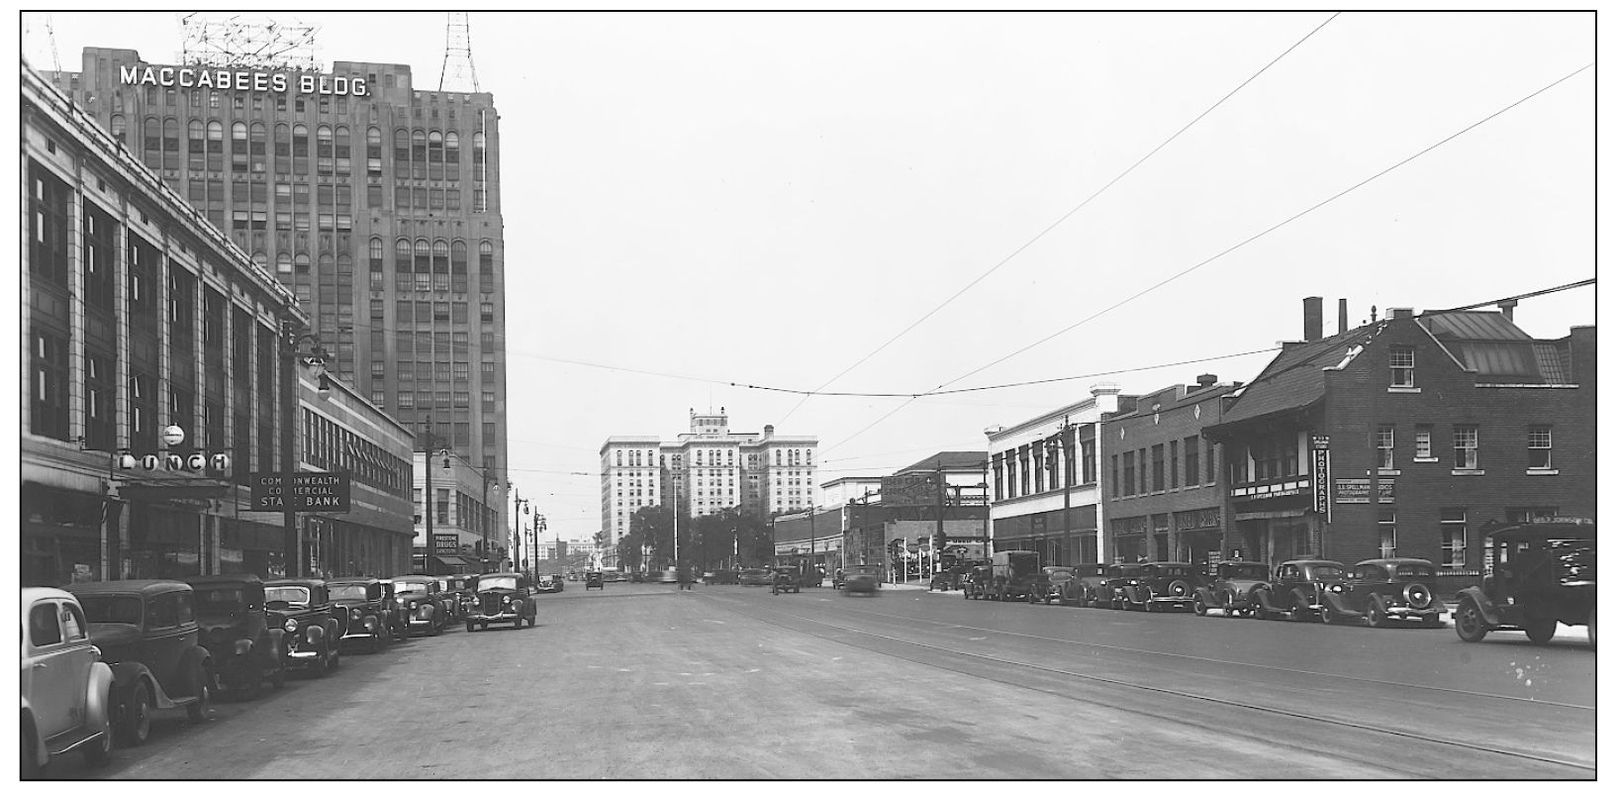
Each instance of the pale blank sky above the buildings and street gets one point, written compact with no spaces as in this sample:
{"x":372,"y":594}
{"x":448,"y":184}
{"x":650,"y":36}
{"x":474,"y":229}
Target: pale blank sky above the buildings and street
{"x":770,"y":199}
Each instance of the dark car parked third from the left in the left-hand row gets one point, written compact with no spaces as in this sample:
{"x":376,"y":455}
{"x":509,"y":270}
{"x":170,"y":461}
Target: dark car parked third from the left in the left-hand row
{"x":245,"y":647}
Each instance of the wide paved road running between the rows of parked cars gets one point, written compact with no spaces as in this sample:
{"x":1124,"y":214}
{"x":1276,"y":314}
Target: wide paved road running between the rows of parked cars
{"x":642,"y":681}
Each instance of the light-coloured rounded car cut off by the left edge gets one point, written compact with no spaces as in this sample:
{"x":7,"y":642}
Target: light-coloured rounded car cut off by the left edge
{"x":67,"y":690}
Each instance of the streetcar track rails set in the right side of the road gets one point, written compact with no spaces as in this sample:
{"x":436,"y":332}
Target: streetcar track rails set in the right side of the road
{"x":1154,"y":690}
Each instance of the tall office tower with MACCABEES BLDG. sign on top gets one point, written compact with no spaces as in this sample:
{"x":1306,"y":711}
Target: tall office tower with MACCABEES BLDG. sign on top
{"x":376,"y":203}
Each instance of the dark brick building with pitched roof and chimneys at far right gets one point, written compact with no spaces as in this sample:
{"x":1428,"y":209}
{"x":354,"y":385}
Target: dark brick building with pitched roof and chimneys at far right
{"x":1434,"y":430}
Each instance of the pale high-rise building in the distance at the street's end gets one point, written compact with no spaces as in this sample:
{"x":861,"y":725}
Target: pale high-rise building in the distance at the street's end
{"x":705,"y":471}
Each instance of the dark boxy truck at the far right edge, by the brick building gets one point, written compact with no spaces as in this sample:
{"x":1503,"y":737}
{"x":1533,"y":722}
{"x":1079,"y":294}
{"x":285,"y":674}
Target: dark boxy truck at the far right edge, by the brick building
{"x":1544,"y":575}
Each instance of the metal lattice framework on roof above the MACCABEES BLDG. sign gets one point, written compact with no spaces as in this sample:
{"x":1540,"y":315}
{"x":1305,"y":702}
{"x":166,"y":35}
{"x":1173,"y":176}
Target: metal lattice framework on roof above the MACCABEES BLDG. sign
{"x":240,"y":43}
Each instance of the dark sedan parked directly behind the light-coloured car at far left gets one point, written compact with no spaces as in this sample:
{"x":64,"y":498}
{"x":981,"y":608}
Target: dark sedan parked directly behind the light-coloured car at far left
{"x":148,"y":634}
